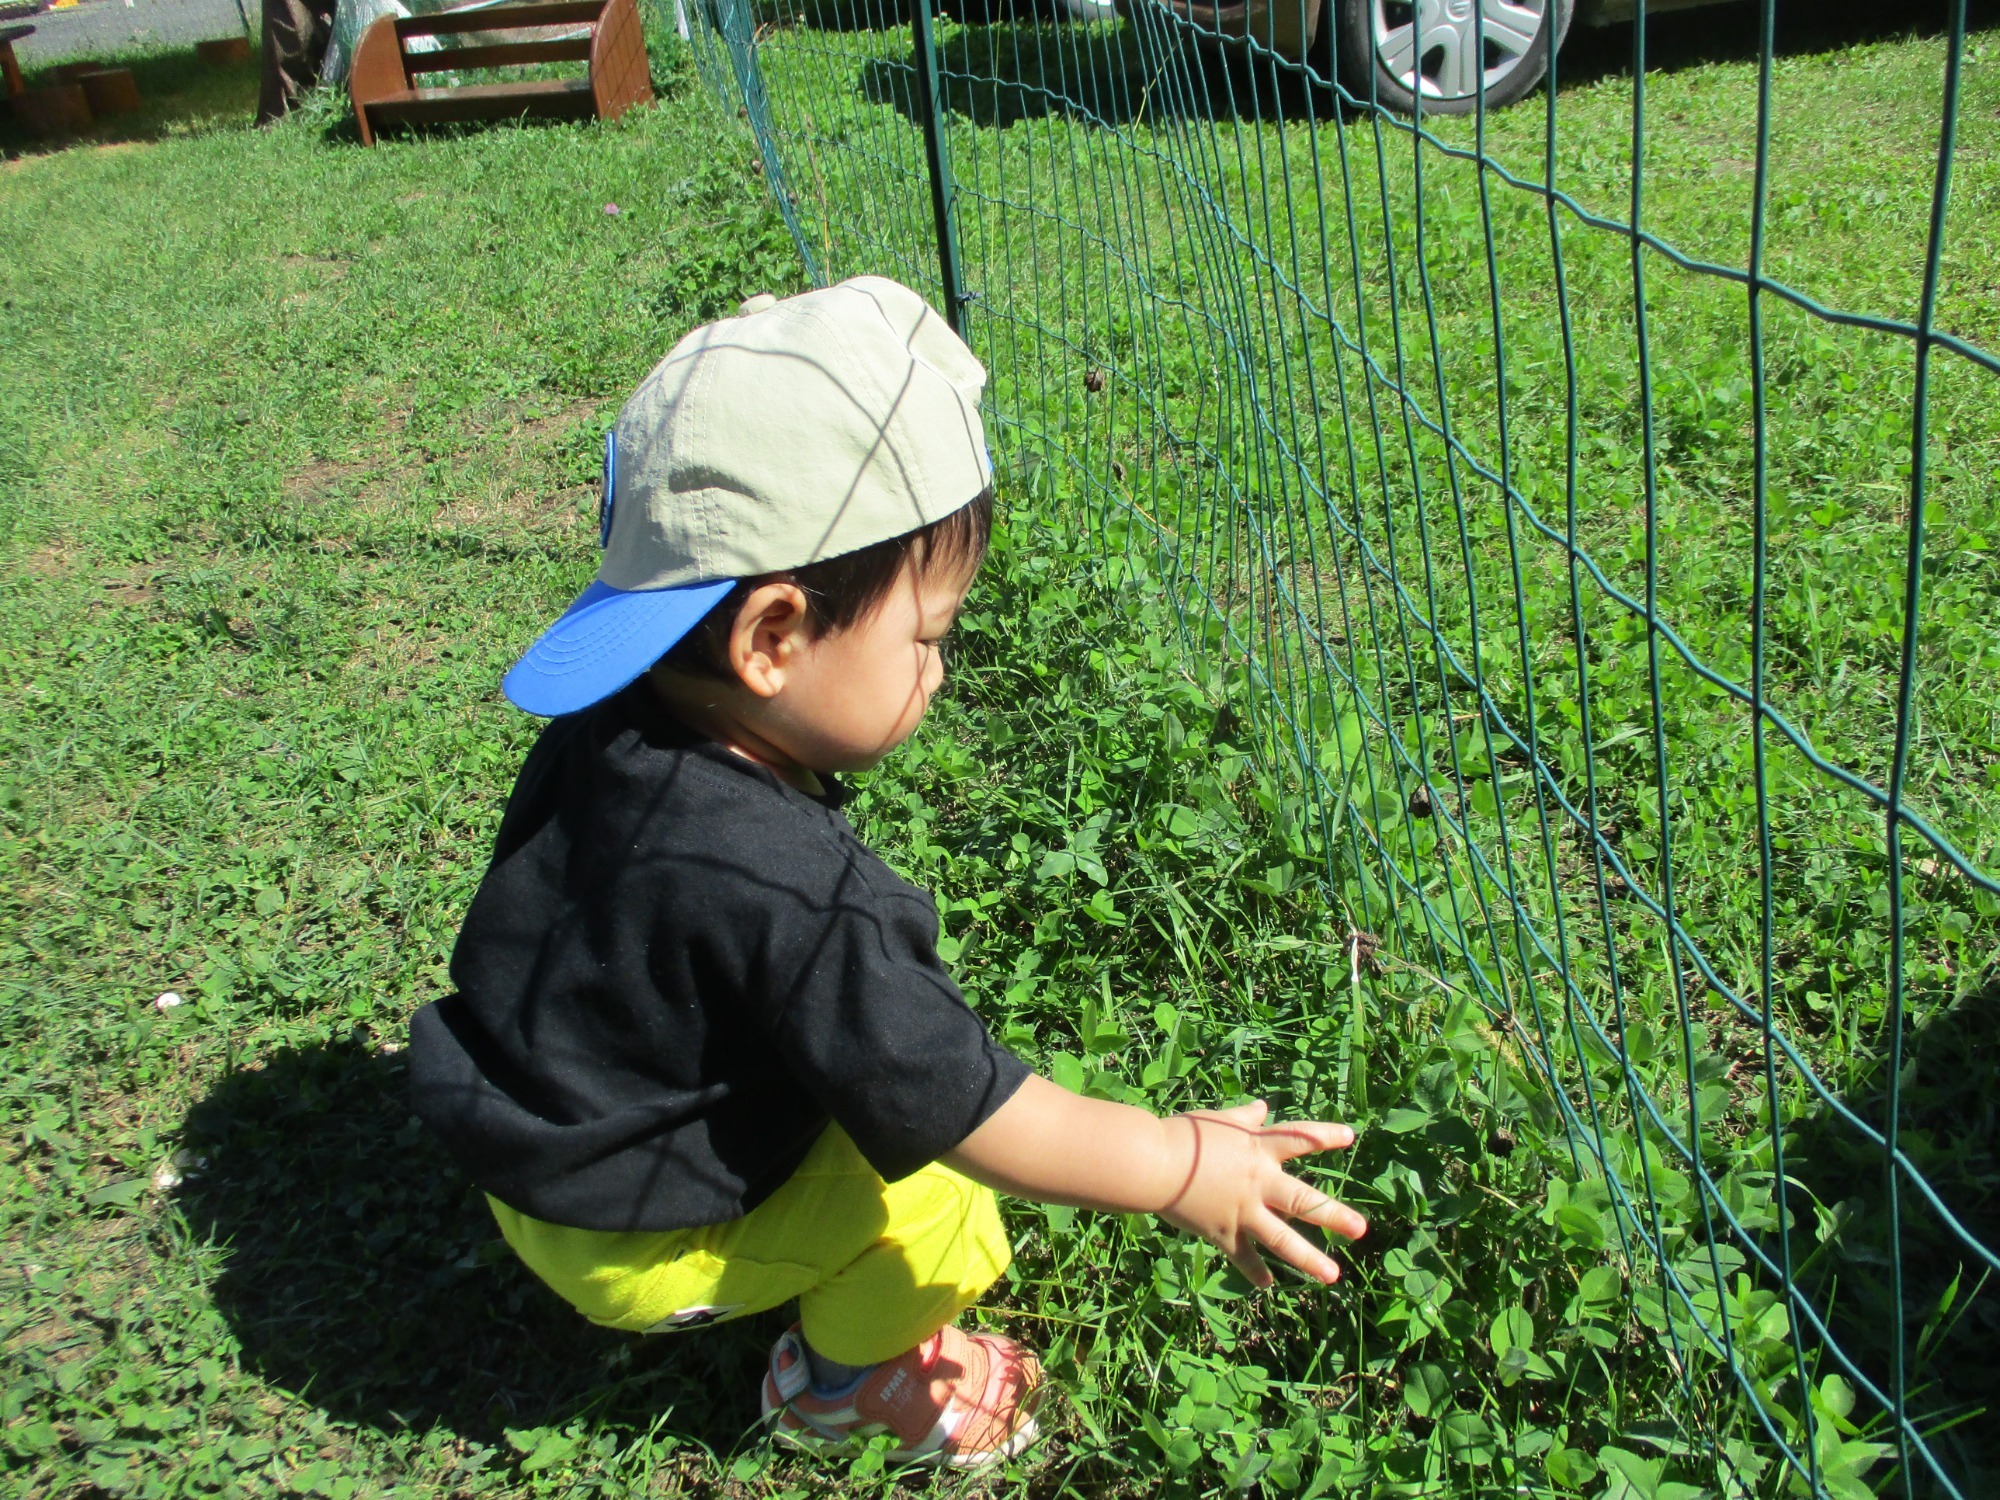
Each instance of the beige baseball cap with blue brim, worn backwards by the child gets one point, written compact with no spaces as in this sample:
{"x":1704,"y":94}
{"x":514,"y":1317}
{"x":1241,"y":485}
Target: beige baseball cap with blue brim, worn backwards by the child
{"x":797,"y":431}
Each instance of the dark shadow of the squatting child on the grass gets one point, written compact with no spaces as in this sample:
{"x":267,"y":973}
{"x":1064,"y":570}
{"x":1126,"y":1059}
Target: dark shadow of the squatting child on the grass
{"x":363,"y":1275}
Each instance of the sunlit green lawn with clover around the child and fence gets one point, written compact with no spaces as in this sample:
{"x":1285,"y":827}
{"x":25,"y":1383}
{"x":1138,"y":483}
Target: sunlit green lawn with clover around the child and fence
{"x":299,"y":445}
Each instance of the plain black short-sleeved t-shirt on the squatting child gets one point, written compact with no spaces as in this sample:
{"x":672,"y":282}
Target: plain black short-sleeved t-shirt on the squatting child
{"x":675,"y":973}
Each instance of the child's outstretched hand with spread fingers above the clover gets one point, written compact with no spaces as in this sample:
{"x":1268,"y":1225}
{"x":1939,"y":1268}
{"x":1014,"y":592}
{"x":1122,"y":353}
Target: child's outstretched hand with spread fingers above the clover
{"x":1239,"y":1197}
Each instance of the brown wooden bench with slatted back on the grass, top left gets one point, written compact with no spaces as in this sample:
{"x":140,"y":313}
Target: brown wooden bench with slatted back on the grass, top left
{"x":383,"y":81}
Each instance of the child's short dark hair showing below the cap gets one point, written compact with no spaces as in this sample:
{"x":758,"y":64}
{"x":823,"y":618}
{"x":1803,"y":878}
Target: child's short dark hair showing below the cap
{"x":839,"y":591}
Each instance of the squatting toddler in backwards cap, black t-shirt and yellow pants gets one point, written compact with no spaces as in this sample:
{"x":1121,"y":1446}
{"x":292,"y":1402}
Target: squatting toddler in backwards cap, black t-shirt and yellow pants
{"x":703,"y":1057}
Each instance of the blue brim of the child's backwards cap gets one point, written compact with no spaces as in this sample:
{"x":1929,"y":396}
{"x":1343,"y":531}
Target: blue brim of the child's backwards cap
{"x":603,"y":643}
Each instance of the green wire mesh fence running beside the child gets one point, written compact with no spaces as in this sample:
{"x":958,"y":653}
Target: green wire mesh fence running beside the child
{"x":1593,"y":519}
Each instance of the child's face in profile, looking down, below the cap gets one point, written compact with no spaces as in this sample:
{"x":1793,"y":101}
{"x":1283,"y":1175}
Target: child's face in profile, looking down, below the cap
{"x":859,"y":693}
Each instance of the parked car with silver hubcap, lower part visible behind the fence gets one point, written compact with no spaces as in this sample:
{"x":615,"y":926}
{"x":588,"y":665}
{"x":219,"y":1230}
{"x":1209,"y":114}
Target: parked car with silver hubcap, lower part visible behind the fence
{"x":1399,"y":49}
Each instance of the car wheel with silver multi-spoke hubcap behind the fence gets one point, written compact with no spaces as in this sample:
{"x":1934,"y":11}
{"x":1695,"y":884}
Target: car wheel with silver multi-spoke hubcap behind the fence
{"x":1447,"y":49}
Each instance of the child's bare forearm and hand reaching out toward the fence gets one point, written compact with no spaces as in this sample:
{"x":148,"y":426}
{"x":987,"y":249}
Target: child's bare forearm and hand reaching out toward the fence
{"x":1213,"y":1173}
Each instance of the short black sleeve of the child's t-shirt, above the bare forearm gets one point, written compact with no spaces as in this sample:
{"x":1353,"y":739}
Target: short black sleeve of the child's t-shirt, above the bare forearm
{"x":875,"y":1029}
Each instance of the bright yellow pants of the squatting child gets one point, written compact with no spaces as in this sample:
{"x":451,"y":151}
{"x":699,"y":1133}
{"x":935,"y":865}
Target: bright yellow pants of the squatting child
{"x":877,"y":1267}
